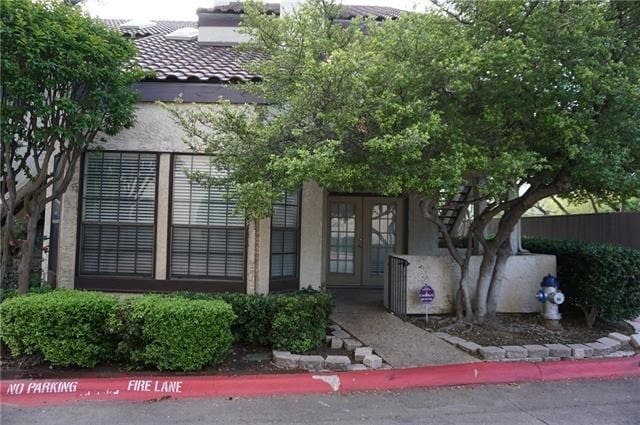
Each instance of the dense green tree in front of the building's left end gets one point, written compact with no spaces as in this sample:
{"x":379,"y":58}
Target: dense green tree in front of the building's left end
{"x":66,"y":79}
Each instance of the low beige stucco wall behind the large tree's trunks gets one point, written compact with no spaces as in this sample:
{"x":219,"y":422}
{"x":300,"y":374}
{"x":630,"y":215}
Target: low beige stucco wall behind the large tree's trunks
{"x":522,"y":280}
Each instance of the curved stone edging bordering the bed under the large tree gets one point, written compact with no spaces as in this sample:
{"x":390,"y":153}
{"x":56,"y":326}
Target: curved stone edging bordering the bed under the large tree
{"x":616,"y":345}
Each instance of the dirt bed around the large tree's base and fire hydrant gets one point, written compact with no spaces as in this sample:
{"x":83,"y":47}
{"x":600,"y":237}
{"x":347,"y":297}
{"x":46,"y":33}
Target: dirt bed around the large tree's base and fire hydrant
{"x":520,"y":329}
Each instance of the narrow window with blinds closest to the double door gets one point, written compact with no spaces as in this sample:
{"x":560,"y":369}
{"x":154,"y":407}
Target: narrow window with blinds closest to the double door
{"x":285,"y":234}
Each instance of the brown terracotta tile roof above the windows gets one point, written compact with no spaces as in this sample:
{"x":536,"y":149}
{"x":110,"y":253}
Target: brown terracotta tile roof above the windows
{"x":189,"y":61}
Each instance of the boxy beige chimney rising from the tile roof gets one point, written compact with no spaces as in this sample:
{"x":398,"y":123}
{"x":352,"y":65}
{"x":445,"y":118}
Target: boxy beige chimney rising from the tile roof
{"x":218,"y":26}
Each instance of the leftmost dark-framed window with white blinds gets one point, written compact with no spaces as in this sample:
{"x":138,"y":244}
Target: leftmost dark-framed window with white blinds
{"x":118,"y":214}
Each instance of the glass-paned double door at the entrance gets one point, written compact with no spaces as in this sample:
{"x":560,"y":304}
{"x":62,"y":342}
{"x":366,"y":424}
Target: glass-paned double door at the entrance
{"x":361,"y":232}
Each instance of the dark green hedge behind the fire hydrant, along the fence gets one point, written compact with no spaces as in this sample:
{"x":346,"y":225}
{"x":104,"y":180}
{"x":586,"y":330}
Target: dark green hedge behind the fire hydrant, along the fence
{"x":603,"y":280}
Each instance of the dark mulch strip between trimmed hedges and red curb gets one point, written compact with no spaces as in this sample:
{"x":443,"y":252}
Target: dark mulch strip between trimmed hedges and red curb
{"x":240,"y":361}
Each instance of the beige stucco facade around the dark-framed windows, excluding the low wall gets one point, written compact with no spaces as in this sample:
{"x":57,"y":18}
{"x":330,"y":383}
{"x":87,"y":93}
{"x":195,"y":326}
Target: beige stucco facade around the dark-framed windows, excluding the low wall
{"x":156,"y":132}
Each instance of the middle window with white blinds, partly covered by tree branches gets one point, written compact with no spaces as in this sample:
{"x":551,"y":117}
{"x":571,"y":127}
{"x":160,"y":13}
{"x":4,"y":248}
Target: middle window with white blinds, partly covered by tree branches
{"x":207,"y":237}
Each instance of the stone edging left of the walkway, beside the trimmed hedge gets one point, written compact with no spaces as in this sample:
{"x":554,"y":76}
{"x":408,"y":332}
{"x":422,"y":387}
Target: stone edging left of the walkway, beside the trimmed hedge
{"x":339,"y":338}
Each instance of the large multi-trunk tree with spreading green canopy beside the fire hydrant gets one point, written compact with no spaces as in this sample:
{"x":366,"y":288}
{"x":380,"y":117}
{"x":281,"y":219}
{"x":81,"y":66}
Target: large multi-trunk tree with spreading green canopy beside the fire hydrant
{"x":518,"y":99}
